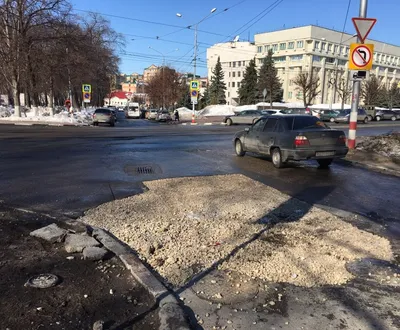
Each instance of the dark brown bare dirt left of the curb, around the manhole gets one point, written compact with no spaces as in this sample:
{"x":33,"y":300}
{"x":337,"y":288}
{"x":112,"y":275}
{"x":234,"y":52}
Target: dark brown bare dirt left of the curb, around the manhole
{"x":81,"y":298}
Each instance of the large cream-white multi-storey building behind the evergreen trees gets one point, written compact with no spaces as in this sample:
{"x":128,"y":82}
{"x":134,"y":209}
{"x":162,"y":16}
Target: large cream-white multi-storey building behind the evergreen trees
{"x":303,"y":49}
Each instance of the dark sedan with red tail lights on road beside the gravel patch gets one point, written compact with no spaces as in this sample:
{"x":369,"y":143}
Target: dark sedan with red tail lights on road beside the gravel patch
{"x":292,"y":137}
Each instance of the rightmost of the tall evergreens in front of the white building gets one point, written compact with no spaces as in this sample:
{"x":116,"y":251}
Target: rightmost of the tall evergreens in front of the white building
{"x":268,"y":79}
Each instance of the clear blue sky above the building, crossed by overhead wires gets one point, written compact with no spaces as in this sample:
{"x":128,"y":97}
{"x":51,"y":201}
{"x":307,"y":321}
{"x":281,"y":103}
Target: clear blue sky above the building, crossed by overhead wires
{"x":177,"y":43}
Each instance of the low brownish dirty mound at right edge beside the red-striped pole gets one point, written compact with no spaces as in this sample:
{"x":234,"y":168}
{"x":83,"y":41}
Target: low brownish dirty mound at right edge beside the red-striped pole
{"x":387,"y":145}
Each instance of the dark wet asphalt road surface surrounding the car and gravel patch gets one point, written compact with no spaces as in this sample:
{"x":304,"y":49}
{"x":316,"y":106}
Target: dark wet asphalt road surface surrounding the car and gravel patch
{"x":62,"y":169}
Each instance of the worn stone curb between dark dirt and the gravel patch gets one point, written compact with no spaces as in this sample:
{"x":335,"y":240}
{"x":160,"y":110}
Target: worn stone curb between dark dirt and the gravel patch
{"x":171,"y":314}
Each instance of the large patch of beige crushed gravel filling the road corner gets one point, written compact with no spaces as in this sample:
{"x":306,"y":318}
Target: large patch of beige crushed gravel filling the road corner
{"x":184,"y":225}
